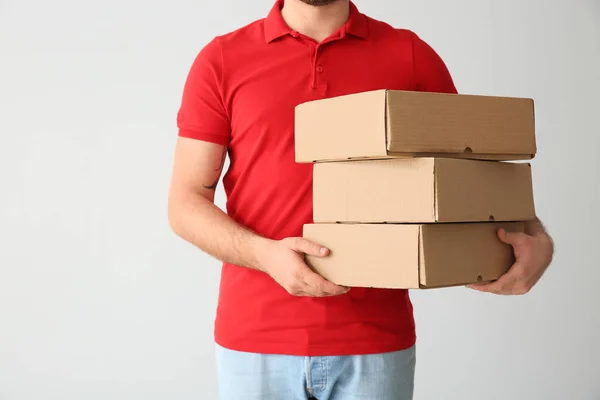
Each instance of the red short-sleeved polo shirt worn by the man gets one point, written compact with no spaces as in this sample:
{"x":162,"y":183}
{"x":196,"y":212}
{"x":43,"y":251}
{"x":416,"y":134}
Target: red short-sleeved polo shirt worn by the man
{"x":241,"y":92}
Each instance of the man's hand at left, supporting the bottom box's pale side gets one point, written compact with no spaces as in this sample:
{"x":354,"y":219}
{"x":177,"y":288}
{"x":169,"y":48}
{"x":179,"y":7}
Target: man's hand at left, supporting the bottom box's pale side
{"x":283,"y":260}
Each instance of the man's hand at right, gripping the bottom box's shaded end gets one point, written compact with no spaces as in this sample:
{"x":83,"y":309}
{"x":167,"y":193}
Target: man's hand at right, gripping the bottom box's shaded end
{"x":533,"y":253}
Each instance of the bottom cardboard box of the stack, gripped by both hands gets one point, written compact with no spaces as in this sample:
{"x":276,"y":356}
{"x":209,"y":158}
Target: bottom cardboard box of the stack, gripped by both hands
{"x":411,"y":256}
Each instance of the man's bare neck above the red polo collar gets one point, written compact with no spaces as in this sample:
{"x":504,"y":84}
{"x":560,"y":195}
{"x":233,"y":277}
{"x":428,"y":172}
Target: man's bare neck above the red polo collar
{"x":315,"y":22}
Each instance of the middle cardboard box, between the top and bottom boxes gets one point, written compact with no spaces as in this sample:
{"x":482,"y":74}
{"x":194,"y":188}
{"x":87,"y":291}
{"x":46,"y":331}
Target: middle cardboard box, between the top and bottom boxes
{"x":422,"y":190}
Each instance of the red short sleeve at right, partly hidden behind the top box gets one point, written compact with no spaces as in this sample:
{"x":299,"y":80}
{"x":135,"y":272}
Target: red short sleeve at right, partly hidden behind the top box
{"x":431,"y":73}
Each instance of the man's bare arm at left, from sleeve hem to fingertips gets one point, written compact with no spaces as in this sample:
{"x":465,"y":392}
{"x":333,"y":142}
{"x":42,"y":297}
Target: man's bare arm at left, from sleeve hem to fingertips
{"x":194,"y":217}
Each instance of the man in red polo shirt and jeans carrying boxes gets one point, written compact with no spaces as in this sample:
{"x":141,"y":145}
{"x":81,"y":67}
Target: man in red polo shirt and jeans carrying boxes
{"x":283,"y":332}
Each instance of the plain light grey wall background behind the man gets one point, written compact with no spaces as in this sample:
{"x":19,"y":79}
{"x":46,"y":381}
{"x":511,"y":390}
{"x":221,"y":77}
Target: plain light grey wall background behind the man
{"x":99,"y":300}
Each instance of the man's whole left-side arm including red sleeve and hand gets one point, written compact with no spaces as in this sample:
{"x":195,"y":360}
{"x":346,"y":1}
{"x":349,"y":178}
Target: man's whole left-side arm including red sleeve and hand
{"x":204,"y":132}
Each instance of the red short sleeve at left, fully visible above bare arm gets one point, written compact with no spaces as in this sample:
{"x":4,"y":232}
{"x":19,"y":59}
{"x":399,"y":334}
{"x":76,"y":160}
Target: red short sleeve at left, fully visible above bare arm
{"x":202,"y":114}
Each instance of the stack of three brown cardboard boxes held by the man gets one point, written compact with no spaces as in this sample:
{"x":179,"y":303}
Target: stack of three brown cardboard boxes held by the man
{"x":410,"y":188}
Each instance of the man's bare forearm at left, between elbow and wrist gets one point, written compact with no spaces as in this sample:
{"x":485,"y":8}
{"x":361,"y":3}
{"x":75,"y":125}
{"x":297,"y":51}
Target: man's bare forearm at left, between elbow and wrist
{"x":198,"y":221}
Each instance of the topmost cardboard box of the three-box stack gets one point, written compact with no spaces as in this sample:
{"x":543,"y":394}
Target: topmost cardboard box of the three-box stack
{"x":387,"y":123}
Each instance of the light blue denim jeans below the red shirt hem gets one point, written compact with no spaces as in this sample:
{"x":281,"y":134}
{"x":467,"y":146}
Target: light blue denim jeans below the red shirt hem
{"x":249,"y":376}
